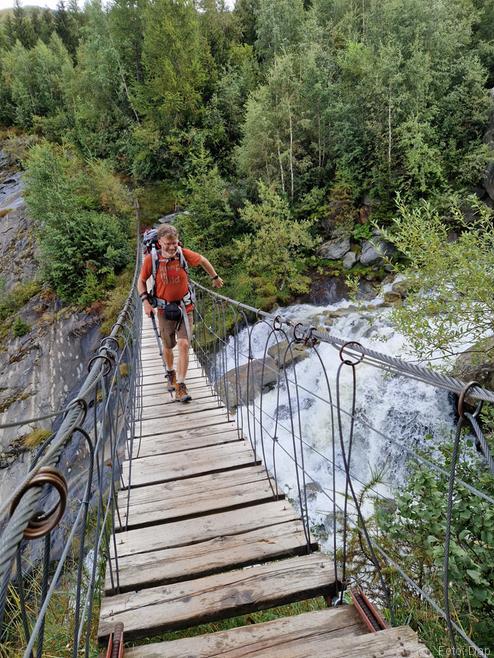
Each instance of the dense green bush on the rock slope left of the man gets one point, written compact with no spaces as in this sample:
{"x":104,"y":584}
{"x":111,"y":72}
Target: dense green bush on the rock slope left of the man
{"x":81,"y":246}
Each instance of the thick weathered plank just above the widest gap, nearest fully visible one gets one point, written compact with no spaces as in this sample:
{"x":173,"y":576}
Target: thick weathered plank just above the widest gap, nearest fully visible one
{"x":219,"y":596}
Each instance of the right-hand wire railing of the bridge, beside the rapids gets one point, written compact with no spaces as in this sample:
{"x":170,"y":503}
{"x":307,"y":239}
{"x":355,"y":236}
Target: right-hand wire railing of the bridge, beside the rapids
{"x":413,"y":542}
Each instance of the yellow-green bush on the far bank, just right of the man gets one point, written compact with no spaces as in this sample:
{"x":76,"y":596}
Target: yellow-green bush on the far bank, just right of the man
{"x":272,"y":252}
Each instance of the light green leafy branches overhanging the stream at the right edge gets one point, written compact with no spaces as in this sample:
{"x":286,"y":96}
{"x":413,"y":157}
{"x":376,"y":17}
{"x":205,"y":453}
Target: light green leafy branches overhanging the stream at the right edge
{"x":449,"y":299}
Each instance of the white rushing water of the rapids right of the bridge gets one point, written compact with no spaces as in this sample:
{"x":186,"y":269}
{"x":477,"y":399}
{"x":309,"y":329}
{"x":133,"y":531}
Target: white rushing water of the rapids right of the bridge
{"x":394,"y":413}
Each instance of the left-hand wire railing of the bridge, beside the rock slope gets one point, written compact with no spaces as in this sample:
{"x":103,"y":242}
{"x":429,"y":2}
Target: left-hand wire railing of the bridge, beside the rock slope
{"x":57,"y":524}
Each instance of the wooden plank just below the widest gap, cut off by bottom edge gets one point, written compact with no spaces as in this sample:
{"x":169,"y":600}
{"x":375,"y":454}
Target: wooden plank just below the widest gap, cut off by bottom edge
{"x":274,"y":638}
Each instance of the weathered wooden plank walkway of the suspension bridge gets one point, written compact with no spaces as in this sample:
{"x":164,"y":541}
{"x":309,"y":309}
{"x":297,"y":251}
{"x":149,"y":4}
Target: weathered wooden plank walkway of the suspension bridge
{"x":205,"y":535}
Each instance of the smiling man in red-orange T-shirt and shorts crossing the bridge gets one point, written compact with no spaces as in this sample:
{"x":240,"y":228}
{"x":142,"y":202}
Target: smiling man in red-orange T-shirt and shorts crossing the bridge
{"x":174,"y":302}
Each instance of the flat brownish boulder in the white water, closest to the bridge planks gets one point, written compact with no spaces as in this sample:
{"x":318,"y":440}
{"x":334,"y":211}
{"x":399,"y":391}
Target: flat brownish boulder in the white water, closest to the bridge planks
{"x":248,"y":380}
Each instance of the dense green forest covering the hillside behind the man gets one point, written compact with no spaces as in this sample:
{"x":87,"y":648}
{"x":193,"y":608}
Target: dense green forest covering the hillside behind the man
{"x":278,"y":125}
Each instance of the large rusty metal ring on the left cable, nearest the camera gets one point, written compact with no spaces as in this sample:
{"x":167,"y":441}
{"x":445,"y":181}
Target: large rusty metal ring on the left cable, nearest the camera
{"x":42,"y":523}
